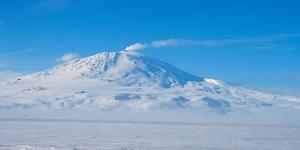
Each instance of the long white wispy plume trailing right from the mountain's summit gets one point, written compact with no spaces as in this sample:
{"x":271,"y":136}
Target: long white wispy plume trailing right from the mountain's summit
{"x":210,"y":43}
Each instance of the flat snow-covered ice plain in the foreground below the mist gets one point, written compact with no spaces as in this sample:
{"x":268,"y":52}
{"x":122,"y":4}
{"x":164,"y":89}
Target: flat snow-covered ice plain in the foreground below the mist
{"x":18,"y":134}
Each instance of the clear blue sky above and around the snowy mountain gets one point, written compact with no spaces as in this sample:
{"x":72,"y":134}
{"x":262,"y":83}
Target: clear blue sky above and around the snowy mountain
{"x":253,"y":43}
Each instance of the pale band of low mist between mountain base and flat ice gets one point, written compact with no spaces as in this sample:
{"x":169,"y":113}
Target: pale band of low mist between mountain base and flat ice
{"x":266,"y":117}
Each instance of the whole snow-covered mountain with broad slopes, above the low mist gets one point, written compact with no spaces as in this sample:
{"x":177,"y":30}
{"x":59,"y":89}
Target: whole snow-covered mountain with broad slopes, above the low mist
{"x":129,"y":79}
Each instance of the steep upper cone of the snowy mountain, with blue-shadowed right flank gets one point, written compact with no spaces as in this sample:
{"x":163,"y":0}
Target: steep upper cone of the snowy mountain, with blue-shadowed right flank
{"x":126,"y":68}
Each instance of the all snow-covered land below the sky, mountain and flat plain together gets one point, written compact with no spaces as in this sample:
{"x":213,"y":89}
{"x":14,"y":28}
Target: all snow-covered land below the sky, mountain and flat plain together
{"x":128,"y":86}
